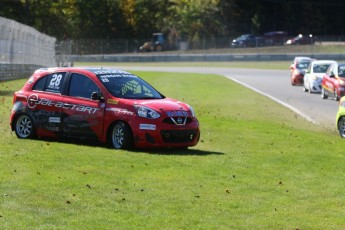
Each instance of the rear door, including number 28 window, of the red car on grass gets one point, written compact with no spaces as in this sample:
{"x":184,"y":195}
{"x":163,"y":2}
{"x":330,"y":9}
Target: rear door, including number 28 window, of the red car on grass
{"x":45,"y":103}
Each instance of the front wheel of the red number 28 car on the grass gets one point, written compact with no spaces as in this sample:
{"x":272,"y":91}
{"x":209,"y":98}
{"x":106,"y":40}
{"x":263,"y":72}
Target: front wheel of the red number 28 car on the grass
{"x":121,"y":136}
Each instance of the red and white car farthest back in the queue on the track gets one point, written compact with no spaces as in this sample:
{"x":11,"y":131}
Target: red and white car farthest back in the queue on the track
{"x":298,"y":68}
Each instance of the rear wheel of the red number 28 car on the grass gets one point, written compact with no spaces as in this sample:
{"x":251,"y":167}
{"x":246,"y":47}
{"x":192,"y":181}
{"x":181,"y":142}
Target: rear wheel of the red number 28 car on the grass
{"x":24,"y":127}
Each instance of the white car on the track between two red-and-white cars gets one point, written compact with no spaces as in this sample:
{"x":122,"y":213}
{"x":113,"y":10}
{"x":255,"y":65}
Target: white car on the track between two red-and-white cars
{"x":314,"y":74}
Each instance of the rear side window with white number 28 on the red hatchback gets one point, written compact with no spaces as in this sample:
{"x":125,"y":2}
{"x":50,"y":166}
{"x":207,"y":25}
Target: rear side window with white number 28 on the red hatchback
{"x":50,"y":83}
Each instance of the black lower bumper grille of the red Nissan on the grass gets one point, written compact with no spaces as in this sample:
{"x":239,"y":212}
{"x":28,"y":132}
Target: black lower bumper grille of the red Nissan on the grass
{"x":178,"y":136}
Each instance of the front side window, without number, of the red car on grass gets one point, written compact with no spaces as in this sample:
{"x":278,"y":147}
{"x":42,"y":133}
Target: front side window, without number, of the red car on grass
{"x":82,"y":86}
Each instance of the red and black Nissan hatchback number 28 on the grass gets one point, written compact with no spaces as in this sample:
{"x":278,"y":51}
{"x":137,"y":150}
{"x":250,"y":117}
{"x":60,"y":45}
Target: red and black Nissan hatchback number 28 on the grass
{"x":101,"y":104}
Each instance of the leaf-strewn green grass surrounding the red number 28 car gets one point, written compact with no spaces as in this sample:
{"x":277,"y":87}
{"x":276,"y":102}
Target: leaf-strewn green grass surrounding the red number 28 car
{"x":257,"y":166}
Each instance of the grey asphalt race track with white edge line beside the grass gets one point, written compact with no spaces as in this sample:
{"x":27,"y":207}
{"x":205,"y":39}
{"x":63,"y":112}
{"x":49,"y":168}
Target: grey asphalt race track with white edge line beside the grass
{"x":274,"y":84}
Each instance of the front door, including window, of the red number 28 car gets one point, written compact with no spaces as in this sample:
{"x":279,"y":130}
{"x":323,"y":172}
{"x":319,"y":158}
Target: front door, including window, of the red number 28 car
{"x":82,"y":116}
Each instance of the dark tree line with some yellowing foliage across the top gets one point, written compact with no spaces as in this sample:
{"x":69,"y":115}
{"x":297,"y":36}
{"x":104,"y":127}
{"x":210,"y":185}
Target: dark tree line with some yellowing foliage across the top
{"x":190,"y":19}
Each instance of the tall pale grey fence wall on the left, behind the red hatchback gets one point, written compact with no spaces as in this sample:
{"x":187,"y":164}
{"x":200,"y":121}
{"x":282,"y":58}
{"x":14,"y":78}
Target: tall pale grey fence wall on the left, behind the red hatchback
{"x":23,"y":49}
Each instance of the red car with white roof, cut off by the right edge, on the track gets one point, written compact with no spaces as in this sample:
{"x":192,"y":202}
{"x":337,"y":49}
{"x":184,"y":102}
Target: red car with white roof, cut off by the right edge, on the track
{"x":333,"y":82}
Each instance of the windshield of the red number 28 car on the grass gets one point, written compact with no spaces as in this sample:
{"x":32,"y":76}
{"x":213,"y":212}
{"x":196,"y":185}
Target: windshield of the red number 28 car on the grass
{"x":126,"y":85}
